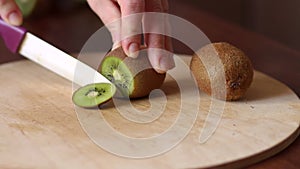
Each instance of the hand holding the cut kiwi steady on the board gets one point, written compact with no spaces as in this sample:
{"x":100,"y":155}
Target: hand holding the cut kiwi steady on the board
{"x":131,"y":28}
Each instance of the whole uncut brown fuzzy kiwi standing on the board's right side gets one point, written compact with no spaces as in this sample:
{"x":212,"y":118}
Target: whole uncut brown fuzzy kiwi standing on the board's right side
{"x":237,"y":66}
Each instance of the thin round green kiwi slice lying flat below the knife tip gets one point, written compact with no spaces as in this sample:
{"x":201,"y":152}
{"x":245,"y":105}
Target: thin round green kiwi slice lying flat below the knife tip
{"x":93,"y":95}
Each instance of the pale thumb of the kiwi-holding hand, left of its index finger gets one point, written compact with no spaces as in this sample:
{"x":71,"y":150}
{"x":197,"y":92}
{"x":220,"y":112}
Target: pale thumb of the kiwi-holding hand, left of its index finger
{"x":109,"y":12}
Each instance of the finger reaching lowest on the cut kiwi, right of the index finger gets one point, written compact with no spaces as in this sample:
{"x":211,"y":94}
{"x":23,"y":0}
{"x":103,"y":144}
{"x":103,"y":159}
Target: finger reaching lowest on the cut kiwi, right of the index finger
{"x":158,"y":44}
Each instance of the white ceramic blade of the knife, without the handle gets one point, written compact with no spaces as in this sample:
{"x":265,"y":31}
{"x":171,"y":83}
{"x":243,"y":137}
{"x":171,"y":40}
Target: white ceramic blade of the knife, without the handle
{"x":58,"y":61}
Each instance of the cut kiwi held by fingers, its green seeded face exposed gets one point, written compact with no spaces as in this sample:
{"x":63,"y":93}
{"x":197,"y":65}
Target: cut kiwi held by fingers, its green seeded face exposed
{"x":134,"y":77}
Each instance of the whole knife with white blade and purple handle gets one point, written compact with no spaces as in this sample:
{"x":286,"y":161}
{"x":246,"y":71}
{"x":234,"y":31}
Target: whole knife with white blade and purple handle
{"x":18,"y":40}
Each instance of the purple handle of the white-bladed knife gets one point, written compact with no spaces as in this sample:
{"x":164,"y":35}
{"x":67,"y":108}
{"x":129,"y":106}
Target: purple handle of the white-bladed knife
{"x":11,"y":35}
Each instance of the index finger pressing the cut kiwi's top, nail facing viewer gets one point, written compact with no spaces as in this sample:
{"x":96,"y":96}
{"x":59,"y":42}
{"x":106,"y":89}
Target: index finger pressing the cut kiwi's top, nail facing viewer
{"x":131,"y":11}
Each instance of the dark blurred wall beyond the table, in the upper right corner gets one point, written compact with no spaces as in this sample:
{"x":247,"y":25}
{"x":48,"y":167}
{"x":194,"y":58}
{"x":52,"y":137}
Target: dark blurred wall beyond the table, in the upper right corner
{"x":275,"y":19}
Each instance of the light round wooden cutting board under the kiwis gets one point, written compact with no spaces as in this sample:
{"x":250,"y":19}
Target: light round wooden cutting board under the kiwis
{"x":39,"y":127}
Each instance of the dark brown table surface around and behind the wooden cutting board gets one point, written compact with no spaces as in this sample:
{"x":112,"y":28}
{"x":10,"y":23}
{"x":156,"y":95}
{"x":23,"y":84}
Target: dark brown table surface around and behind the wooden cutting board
{"x":70,"y":30}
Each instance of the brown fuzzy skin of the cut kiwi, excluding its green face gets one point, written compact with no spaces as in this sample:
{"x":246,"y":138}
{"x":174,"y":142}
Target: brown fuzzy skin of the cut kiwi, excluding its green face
{"x":145,"y":78}
